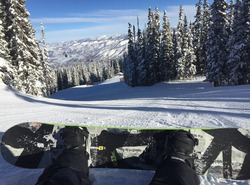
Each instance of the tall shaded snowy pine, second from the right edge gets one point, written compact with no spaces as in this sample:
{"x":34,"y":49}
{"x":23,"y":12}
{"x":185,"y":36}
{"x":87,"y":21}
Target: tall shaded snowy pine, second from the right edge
{"x":216,"y":44}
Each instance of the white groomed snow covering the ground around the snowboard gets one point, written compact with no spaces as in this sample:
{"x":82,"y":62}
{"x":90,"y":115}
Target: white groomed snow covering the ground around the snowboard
{"x":191,"y":103}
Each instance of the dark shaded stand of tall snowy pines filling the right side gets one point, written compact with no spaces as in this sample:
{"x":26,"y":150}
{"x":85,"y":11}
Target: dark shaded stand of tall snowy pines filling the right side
{"x":216,"y":45}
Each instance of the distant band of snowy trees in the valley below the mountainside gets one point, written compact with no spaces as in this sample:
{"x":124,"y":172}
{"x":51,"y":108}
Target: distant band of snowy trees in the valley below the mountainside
{"x":82,"y":73}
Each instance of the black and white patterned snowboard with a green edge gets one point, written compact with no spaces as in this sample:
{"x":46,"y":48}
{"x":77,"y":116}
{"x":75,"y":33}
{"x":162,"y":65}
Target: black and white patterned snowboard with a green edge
{"x":221,"y":152}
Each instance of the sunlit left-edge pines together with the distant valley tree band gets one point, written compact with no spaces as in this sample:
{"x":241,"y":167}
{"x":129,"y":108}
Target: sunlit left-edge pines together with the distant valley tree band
{"x":27,"y":66}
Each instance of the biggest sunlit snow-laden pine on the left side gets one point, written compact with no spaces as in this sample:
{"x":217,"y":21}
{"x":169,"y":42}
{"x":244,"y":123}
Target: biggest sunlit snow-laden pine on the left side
{"x":23,"y":48}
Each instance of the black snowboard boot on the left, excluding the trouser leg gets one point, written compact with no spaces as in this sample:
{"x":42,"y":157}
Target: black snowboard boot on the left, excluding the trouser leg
{"x":75,"y":137}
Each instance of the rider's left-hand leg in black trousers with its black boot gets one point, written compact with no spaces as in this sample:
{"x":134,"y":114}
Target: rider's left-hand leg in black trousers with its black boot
{"x":71,"y":167}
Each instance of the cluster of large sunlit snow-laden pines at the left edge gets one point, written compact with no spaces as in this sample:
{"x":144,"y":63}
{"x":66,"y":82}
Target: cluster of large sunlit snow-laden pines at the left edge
{"x":27,"y":65}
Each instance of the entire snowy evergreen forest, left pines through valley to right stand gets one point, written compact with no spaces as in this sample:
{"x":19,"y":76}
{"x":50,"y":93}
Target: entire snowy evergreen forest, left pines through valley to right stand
{"x":215,"y":45}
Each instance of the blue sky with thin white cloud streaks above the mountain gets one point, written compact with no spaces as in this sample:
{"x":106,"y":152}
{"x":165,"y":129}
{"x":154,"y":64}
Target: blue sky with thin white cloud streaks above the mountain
{"x":65,"y":20}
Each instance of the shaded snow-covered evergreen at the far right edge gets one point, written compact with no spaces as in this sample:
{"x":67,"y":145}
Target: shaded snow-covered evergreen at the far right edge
{"x":239,"y":58}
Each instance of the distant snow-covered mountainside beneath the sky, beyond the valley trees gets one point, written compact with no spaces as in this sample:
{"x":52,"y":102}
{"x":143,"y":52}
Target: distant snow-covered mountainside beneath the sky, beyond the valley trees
{"x":91,"y":49}
